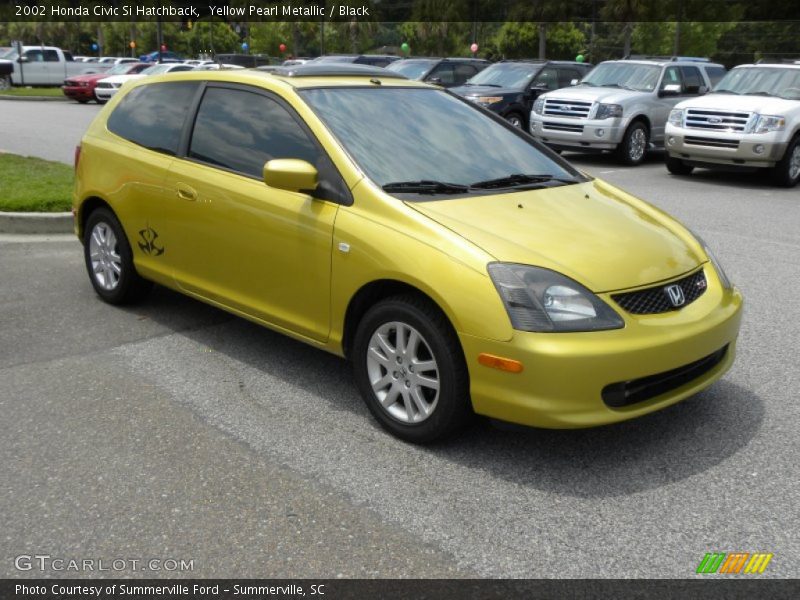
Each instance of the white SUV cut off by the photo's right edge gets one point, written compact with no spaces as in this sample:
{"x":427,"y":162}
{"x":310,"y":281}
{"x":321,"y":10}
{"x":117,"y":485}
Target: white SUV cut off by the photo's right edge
{"x":751,"y":119}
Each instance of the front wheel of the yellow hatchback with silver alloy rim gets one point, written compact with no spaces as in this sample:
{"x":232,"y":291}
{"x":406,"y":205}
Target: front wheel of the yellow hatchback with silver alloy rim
{"x":410,"y":369}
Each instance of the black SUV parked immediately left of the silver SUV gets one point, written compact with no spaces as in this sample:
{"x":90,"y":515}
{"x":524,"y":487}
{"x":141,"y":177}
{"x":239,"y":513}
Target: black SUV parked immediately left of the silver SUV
{"x":510,"y":87}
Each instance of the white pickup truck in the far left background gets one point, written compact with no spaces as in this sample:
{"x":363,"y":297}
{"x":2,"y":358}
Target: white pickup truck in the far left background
{"x":41,"y":65}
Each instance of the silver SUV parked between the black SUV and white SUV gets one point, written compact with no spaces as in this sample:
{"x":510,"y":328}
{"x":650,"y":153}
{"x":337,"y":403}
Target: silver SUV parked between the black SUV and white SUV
{"x":621,"y":105}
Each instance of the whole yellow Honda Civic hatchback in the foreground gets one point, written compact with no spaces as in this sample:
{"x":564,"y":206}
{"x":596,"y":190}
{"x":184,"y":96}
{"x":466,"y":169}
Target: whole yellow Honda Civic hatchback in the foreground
{"x":459,"y":265}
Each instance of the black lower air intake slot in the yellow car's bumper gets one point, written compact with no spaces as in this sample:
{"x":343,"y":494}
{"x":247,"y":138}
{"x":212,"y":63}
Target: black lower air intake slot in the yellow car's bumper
{"x":625,"y":393}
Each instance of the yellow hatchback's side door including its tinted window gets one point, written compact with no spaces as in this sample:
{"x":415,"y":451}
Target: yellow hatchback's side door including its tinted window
{"x":259,"y":250}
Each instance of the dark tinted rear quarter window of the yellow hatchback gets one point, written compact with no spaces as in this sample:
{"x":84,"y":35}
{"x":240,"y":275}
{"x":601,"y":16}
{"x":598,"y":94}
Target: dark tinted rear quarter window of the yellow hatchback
{"x":153,"y":115}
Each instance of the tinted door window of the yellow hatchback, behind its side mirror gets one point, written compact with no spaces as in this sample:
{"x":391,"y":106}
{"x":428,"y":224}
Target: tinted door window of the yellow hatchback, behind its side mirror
{"x":242,"y":130}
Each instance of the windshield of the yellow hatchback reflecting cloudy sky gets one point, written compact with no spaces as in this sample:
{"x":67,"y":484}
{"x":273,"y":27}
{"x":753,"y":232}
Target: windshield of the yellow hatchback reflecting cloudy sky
{"x":422,"y":135}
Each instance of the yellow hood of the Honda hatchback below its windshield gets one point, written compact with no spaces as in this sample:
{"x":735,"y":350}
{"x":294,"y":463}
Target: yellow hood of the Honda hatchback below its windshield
{"x":592,"y":232}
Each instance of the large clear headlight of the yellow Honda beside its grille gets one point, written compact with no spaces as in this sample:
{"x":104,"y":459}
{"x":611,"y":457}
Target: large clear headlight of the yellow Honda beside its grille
{"x":542,"y":300}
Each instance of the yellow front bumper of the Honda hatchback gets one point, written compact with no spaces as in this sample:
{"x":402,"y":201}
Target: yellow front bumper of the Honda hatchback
{"x":564,"y":374}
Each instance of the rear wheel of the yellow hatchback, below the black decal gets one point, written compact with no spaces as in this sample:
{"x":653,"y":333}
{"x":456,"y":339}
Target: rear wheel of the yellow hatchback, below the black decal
{"x":109,"y":260}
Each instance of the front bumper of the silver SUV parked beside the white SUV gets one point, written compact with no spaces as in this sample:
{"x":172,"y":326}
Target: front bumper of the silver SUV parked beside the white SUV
{"x":586,"y":134}
